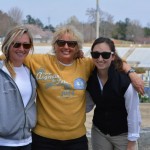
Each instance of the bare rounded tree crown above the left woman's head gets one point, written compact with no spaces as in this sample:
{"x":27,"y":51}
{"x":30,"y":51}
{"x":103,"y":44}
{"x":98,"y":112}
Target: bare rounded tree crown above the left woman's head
{"x":16,"y":14}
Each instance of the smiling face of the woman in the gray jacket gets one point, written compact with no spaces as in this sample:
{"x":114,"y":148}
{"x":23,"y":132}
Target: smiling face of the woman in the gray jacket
{"x":17,"y":53}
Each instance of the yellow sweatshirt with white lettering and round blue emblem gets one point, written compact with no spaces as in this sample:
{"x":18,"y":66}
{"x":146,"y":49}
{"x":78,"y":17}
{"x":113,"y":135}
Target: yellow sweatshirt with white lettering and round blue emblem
{"x":60,"y":96}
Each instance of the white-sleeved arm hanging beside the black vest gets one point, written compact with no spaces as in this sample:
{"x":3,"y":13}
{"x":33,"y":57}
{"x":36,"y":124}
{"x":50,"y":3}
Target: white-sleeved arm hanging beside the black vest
{"x":133,"y":111}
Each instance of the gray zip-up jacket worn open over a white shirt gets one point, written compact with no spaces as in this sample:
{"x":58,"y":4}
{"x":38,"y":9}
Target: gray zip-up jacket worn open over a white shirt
{"x":16,"y":121}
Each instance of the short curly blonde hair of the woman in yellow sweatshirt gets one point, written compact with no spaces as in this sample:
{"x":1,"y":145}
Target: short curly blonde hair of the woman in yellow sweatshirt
{"x":71,"y":30}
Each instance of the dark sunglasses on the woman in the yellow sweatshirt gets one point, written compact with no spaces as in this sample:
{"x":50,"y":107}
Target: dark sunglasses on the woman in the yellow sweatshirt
{"x":62,"y":43}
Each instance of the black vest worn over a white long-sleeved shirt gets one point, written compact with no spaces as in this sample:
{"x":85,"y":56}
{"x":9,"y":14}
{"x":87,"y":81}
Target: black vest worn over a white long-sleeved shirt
{"x":110,"y":115}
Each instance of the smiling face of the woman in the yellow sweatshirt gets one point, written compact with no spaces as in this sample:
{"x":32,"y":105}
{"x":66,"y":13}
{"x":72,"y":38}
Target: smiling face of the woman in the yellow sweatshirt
{"x":66,"y":53}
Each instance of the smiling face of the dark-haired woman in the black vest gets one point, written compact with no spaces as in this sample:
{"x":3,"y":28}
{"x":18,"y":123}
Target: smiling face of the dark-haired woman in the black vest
{"x":102,"y":63}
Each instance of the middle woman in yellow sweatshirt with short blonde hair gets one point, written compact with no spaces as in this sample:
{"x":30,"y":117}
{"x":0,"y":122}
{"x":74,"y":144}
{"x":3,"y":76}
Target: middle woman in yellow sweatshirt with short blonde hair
{"x":61,"y":80}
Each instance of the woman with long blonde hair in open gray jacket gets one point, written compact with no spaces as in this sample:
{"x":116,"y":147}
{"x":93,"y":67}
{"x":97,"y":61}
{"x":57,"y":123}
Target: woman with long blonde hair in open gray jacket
{"x":18,"y":92}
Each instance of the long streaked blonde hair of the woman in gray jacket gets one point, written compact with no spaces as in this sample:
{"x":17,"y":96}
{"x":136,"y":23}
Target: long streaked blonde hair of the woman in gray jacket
{"x":8,"y":41}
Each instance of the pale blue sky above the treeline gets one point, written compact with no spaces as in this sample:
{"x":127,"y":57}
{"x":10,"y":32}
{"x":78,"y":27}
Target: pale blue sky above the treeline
{"x":57,"y":11}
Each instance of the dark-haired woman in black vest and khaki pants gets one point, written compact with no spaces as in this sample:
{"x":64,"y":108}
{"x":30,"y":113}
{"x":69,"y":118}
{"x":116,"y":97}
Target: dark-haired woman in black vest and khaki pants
{"x":116,"y":120}
